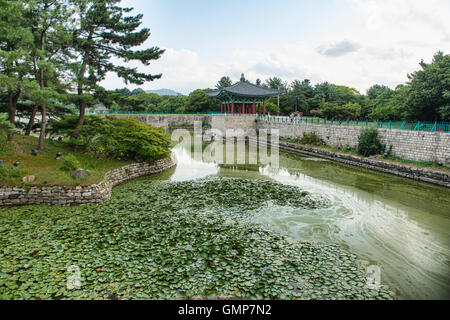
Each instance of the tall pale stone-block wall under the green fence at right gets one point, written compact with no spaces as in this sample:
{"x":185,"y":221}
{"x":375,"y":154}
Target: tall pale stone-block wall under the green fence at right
{"x":410,"y":145}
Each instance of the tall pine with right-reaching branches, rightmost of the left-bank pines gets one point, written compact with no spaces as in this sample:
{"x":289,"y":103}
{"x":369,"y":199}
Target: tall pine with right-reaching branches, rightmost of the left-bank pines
{"x":104,"y":32}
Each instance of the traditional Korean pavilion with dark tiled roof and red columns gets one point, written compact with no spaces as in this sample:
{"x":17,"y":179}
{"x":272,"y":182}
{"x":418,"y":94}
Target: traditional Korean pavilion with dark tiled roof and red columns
{"x":243,"y":97}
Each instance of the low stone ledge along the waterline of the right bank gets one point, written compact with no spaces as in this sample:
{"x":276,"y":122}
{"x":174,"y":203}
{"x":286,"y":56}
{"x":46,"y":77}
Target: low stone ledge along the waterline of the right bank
{"x":429,"y":175}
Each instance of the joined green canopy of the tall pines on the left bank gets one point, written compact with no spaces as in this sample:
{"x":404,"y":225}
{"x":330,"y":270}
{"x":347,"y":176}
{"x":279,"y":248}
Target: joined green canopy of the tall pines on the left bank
{"x":54,"y":54}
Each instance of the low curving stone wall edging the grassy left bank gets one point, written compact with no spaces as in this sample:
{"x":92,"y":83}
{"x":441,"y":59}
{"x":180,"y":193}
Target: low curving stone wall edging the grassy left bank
{"x":76,"y":195}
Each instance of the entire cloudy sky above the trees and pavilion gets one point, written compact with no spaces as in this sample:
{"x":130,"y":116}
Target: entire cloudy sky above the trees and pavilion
{"x":356,"y":43}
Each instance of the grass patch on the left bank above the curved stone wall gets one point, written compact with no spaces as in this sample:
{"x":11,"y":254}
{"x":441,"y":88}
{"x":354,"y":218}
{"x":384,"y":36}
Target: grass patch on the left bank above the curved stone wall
{"x":45,"y":167}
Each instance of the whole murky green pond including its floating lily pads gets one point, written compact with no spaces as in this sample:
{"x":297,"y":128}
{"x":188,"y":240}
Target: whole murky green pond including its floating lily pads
{"x":306,"y":229}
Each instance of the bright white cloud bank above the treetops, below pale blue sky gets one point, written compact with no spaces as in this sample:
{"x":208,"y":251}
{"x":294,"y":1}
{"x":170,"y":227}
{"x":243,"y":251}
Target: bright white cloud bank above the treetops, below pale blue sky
{"x":380,"y":41}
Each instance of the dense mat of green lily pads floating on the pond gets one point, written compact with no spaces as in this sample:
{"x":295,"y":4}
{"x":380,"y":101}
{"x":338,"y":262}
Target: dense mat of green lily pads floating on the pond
{"x":173,"y":240}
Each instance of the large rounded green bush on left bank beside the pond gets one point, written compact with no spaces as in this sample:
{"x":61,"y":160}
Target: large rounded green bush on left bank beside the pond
{"x":117,"y":138}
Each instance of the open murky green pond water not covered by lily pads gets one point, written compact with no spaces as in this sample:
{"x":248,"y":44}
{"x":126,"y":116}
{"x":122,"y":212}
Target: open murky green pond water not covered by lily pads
{"x":399,"y":225}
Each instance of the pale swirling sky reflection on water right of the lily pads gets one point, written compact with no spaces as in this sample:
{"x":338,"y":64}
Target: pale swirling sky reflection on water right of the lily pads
{"x":413,"y":258}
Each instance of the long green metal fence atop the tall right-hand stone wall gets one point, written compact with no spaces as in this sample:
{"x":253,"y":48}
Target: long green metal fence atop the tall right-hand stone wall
{"x":398,"y":125}
